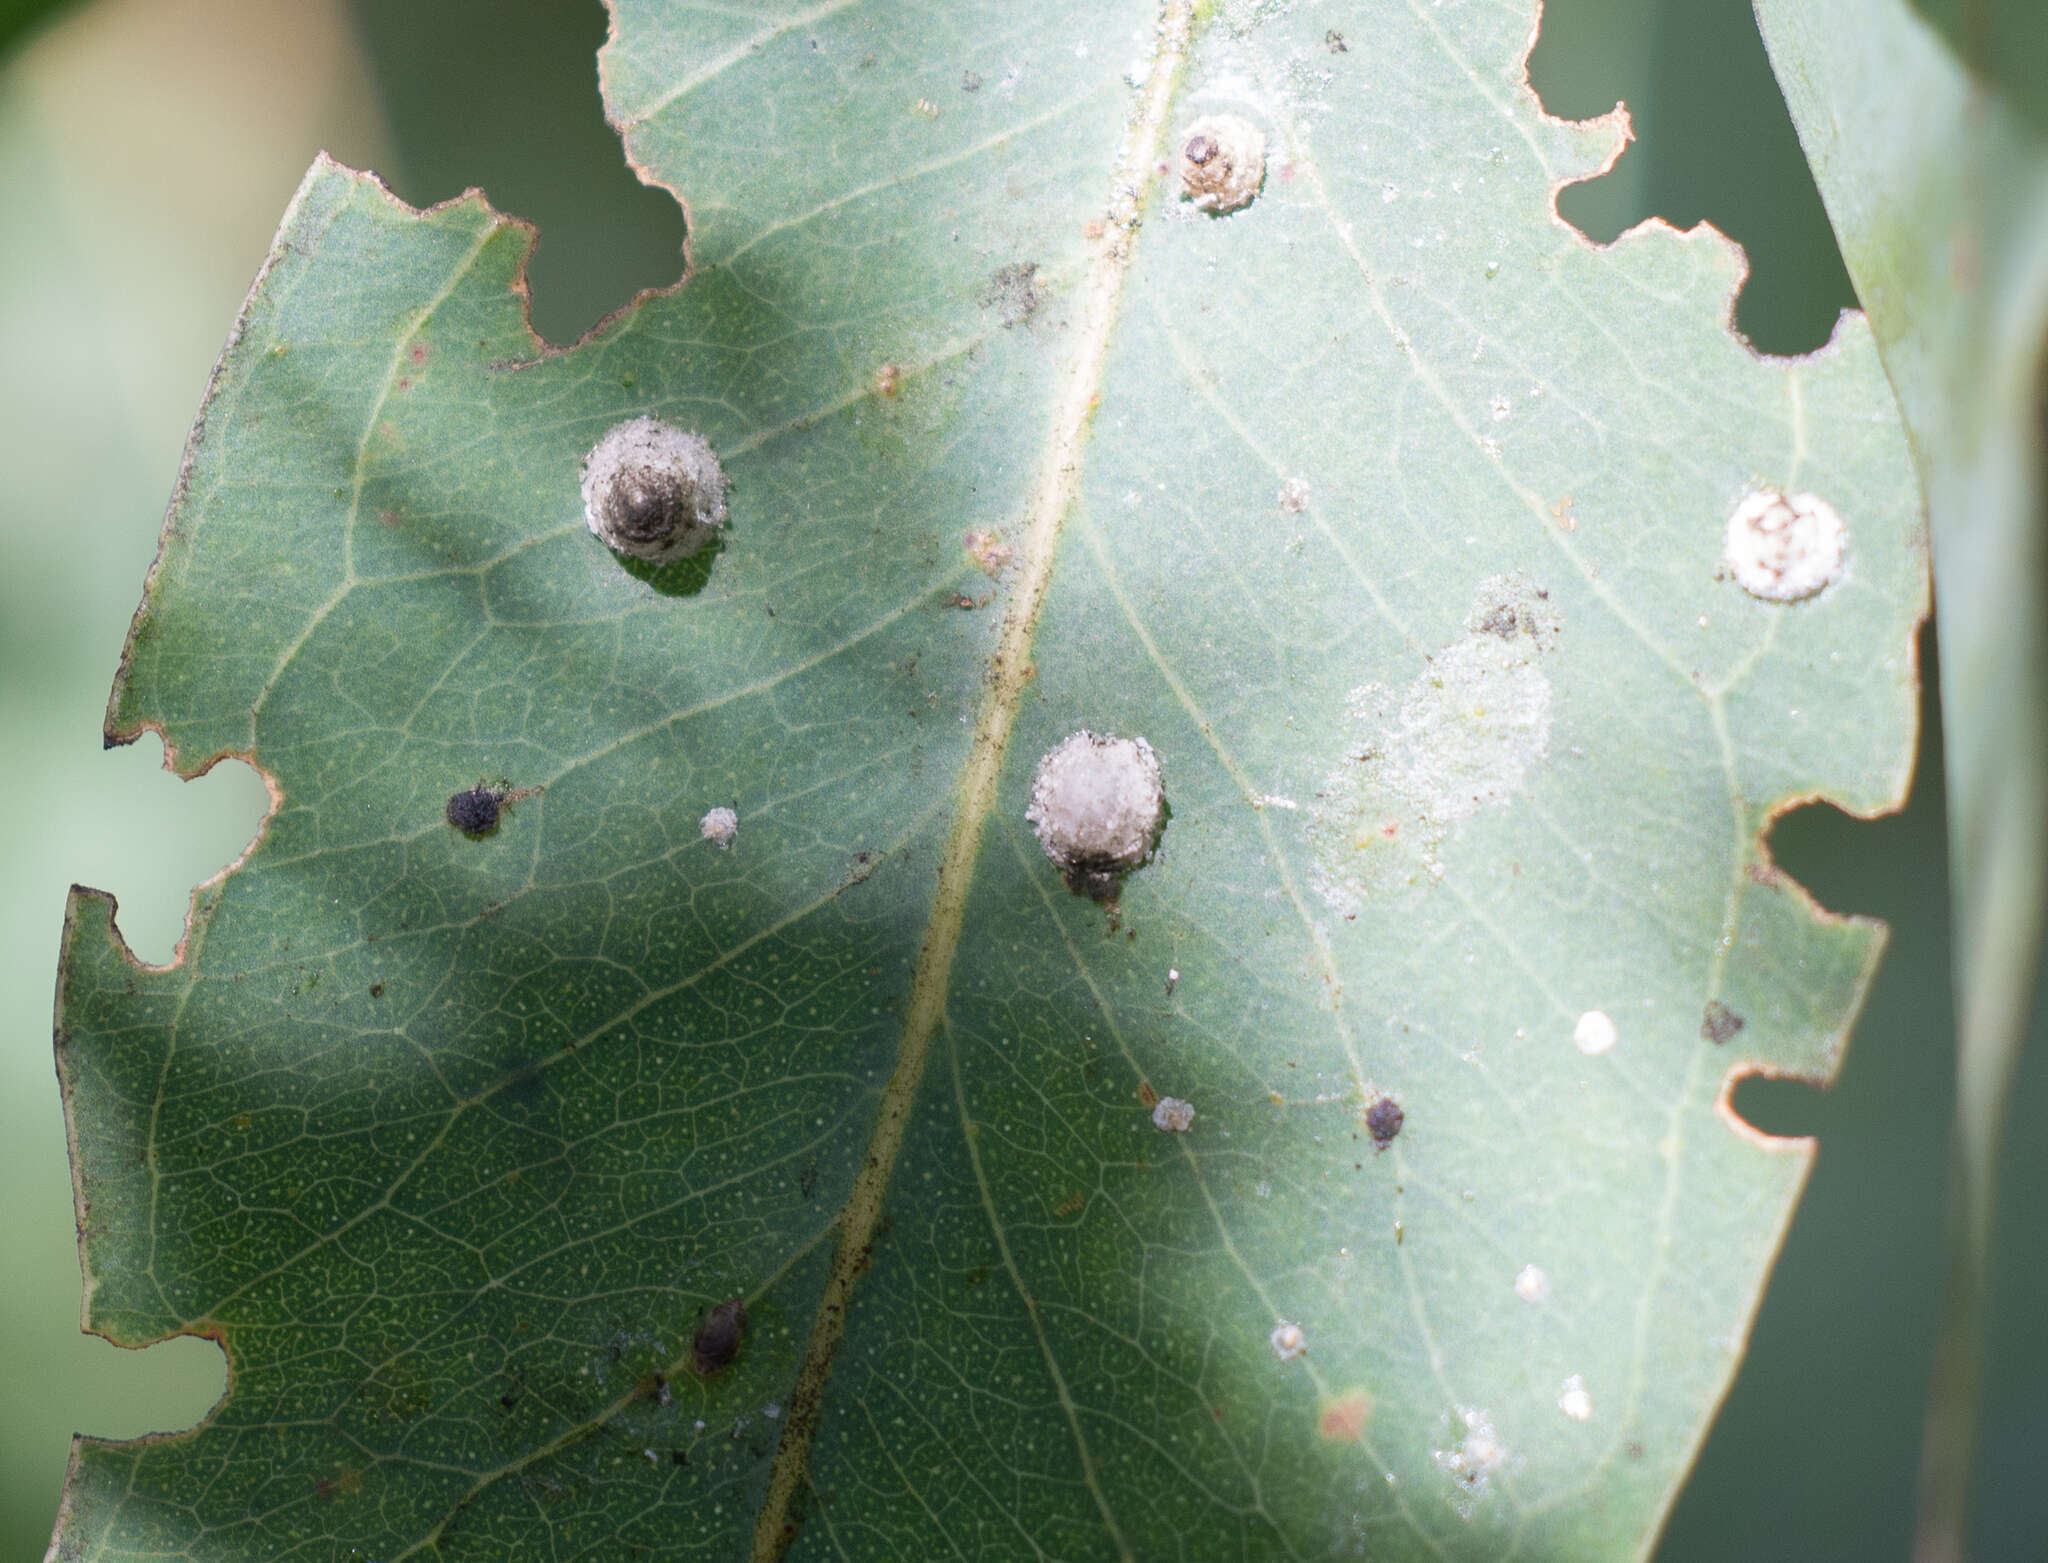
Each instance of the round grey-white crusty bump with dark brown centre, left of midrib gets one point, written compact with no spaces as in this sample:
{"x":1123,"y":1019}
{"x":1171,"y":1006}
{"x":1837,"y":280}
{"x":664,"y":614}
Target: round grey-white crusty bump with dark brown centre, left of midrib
{"x":654,"y":491}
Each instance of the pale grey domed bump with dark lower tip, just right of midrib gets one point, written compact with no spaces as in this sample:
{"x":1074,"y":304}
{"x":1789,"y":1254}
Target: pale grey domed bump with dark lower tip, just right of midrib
{"x":1097,"y":806}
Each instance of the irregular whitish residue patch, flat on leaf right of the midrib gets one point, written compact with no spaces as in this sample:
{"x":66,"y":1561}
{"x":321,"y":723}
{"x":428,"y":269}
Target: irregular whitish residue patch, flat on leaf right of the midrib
{"x":1461,"y":738}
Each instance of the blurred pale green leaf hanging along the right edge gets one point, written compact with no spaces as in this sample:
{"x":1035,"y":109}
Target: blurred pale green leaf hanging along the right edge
{"x":1934,"y":167}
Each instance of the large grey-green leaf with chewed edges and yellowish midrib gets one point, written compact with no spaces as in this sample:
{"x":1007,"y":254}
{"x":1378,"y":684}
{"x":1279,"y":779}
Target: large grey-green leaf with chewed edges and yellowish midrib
{"x":1385,"y":509}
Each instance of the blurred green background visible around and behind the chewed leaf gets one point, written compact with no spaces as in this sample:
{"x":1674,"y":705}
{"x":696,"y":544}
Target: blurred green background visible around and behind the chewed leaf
{"x":146,"y":155}
